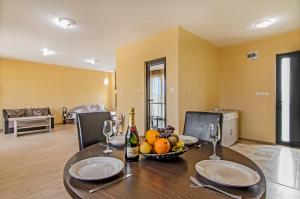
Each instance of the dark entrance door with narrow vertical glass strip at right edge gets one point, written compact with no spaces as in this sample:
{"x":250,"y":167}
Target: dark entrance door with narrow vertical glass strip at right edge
{"x":288,"y":98}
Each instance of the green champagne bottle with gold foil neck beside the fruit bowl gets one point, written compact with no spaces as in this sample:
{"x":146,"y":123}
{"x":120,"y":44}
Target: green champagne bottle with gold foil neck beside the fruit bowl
{"x":132,"y":139}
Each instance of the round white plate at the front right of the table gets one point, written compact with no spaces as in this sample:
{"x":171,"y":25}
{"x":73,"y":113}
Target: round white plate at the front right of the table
{"x":227,"y":173}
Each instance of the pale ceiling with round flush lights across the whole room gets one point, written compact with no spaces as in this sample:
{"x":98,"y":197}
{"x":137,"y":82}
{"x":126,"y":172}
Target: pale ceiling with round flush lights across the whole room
{"x":26,"y":26}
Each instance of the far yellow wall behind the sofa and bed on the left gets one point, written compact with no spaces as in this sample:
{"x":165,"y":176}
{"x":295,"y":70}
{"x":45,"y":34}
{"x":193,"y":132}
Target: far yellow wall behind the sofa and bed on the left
{"x":27,"y":84}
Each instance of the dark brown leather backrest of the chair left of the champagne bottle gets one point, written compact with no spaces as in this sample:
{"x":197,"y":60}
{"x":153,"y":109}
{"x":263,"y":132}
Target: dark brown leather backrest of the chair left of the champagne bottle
{"x":90,"y":128}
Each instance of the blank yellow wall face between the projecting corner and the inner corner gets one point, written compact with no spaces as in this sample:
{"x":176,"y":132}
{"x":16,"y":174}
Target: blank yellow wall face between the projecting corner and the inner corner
{"x":198,"y":72}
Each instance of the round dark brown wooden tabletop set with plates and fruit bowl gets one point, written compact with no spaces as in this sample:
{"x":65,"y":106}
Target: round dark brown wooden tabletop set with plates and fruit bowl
{"x":154,"y":179}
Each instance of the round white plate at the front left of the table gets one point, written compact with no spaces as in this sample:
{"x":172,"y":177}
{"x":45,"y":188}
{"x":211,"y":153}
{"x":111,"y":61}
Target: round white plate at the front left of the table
{"x":96,"y":168}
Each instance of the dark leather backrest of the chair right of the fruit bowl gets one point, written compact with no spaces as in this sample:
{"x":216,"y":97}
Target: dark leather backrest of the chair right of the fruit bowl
{"x":197,"y":124}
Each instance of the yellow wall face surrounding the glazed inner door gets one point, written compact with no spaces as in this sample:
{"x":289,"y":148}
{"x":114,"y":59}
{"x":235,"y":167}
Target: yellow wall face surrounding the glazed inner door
{"x":131,"y":75}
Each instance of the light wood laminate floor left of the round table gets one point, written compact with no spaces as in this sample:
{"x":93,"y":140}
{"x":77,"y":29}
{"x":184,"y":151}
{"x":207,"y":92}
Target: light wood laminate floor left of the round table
{"x":31,"y":165}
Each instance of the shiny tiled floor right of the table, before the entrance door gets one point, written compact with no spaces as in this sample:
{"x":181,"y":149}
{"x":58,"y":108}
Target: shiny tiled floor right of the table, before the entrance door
{"x":280,"y":164}
